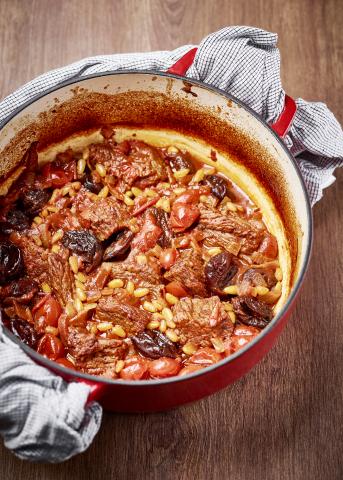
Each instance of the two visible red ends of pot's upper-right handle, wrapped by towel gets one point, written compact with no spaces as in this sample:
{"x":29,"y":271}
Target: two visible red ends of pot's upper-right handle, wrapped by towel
{"x":280,"y":126}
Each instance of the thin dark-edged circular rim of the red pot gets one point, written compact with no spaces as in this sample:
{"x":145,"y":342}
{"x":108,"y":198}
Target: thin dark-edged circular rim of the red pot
{"x":51,"y":365}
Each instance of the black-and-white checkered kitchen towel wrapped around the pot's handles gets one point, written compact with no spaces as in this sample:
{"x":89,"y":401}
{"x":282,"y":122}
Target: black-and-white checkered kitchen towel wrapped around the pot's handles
{"x":41,"y":417}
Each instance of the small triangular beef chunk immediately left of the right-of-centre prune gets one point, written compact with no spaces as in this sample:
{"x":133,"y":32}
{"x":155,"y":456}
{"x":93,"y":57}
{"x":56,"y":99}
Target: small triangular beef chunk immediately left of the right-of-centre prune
{"x":189,"y":271}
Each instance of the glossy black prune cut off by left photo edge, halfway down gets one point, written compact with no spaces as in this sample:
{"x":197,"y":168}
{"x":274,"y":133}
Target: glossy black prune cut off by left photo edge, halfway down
{"x":11,"y":262}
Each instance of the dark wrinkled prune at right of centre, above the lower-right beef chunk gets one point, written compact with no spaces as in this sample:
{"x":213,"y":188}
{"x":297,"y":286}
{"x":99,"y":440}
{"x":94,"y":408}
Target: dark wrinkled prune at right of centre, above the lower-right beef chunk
{"x":219,"y":271}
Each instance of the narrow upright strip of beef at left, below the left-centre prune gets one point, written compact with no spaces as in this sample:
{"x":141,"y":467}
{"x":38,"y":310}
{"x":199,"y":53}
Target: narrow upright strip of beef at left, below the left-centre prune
{"x":61,"y":278}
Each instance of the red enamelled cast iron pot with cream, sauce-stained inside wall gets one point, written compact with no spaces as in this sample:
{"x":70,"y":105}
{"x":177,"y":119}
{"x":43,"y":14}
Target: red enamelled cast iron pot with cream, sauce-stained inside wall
{"x":168,"y":109}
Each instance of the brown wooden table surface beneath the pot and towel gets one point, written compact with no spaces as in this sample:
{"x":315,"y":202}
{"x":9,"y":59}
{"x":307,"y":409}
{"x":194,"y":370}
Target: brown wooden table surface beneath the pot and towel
{"x":284,"y":420}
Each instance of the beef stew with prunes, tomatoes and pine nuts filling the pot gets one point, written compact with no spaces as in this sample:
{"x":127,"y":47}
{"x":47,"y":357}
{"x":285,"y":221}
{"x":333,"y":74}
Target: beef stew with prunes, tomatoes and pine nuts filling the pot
{"x":133,"y":262}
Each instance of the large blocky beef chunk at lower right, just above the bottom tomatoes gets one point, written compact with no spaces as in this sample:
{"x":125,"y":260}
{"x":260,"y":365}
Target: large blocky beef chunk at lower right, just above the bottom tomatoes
{"x":200,"y":319}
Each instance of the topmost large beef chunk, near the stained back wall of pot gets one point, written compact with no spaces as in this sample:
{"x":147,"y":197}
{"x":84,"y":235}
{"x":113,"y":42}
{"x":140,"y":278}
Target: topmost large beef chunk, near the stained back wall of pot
{"x":139,"y":164}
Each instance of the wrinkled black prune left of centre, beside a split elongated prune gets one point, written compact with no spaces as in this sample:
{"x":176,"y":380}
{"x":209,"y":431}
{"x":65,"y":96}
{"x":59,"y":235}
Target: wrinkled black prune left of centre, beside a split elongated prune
{"x":85,"y":244}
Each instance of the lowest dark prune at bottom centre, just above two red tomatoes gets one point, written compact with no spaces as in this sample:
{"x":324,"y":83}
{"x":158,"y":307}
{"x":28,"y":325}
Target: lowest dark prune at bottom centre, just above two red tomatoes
{"x":154,"y":344}
